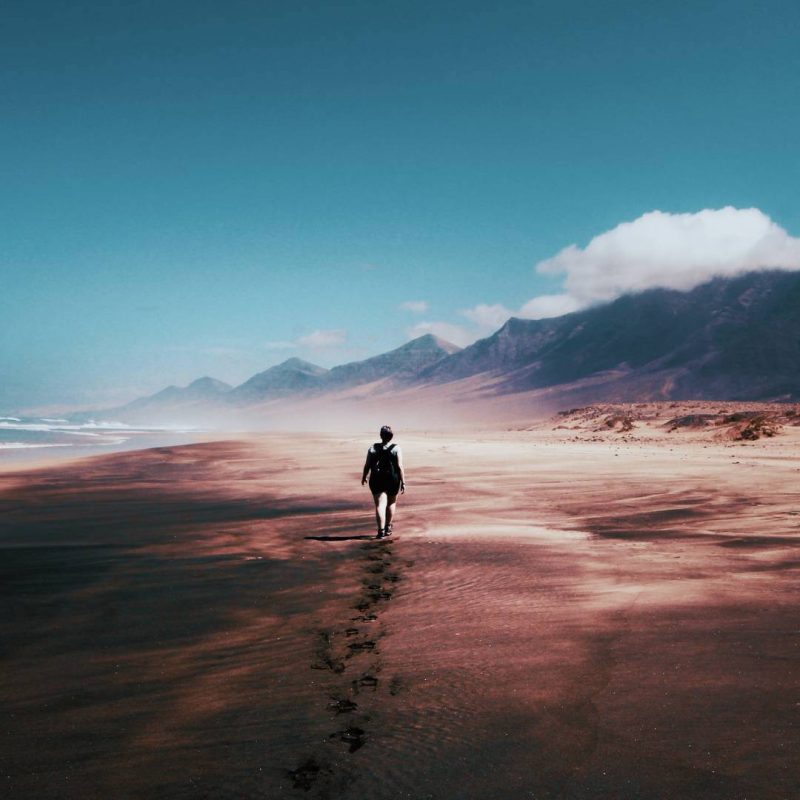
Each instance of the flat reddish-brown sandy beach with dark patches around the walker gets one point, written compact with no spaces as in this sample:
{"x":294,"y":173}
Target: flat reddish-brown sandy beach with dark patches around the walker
{"x":551,"y":620}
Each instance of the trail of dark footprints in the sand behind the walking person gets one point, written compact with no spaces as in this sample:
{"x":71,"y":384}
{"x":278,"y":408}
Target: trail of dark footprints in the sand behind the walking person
{"x":351,"y":655}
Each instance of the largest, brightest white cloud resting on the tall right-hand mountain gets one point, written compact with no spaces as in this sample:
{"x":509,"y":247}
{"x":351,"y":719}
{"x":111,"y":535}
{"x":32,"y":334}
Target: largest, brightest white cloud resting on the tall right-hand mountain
{"x":673,"y":251}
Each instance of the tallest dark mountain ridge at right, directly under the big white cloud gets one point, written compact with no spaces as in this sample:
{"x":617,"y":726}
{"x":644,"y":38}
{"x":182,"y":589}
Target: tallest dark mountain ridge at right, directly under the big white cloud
{"x":735,"y":338}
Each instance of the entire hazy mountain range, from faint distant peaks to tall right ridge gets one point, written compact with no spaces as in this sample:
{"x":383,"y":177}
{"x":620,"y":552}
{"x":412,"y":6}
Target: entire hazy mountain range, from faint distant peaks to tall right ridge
{"x":729,"y":339}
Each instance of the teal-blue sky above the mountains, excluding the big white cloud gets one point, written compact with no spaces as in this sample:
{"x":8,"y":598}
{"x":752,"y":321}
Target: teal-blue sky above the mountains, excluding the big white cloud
{"x":207,"y":188}
